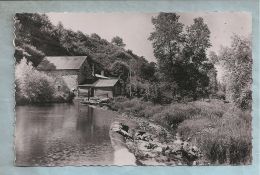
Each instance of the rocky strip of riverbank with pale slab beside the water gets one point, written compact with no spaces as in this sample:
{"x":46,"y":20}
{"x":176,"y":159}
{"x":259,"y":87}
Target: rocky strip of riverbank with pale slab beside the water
{"x":150,"y":144}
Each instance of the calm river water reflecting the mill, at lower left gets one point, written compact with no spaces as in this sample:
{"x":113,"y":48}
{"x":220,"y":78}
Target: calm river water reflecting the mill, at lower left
{"x":63,"y":134}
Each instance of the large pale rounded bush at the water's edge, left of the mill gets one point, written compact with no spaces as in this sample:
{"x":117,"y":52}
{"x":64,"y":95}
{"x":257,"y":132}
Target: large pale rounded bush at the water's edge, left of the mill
{"x":33,"y":86}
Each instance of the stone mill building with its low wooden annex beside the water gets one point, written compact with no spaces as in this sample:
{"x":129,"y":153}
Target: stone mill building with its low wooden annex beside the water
{"x":80,"y":74}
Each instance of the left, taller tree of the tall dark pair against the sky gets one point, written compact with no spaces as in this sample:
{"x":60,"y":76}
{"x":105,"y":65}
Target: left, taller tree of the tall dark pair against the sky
{"x":167,"y":41}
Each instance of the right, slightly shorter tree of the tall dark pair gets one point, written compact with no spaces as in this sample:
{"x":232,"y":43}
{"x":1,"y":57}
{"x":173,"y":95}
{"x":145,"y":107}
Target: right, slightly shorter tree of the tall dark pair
{"x":197,"y":41}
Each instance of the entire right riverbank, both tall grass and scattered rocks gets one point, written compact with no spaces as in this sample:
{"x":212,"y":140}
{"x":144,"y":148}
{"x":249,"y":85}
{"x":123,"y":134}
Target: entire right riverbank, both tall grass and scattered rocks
{"x":220,"y":132}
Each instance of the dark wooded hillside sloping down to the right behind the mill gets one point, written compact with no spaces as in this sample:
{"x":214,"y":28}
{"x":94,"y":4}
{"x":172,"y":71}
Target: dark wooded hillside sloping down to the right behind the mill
{"x":37,"y":37}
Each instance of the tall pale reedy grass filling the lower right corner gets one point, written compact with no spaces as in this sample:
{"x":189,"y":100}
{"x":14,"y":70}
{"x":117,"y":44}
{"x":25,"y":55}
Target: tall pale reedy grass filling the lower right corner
{"x":224,"y":140}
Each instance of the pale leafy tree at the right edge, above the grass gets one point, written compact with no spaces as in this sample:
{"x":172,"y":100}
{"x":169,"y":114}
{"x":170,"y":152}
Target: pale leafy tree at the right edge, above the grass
{"x":236,"y":62}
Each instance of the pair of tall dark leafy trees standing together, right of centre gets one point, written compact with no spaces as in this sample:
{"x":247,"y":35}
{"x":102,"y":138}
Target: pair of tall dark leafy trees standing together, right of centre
{"x":181,"y":55}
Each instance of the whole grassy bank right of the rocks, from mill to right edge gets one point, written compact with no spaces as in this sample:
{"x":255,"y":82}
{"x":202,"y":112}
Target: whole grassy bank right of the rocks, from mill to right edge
{"x":221,"y":131}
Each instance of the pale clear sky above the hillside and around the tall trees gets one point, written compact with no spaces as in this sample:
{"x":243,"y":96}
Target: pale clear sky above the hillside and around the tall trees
{"x":135,"y":28}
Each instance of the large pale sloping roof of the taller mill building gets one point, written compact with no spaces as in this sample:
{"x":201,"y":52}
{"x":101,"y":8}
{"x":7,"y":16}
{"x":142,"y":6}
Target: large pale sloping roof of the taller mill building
{"x":61,"y":62}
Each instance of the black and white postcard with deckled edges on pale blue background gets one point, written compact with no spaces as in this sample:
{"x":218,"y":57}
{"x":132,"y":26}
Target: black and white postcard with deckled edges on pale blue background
{"x":133,"y":88}
